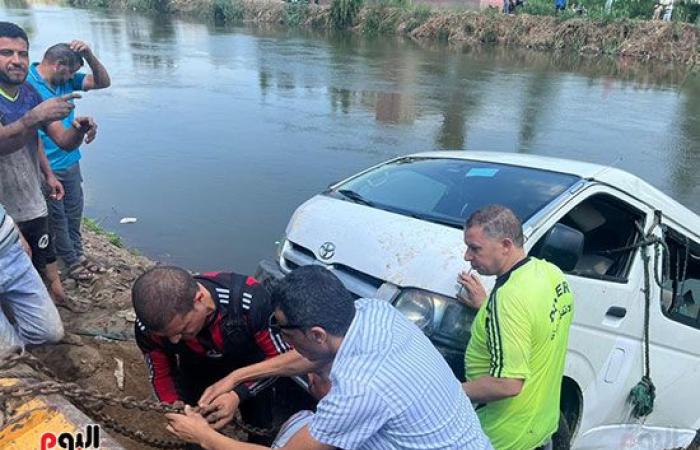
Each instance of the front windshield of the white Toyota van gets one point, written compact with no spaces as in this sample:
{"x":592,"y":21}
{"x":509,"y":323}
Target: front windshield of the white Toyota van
{"x":447,"y":191}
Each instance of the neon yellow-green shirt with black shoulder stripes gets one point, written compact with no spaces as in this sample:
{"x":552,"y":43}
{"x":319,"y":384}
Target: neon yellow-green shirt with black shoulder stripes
{"x":522,"y":331}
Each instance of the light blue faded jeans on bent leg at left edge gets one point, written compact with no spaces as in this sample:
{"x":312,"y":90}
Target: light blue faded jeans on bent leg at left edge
{"x":25,"y":302}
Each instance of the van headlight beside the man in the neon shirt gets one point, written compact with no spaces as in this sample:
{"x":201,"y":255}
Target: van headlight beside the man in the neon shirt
{"x":443,"y":319}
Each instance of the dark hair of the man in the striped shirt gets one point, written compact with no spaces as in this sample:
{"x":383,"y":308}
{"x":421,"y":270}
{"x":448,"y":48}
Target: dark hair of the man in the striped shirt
{"x":312,"y":296}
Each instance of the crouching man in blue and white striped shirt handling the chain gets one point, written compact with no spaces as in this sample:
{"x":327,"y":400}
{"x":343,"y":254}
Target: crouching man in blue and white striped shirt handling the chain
{"x":390,"y":388}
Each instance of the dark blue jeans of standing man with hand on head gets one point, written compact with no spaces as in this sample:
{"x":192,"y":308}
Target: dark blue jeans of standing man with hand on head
{"x":65,"y":216}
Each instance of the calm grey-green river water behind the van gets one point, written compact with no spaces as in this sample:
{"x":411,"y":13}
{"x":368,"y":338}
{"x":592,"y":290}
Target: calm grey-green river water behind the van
{"x":211,"y":137}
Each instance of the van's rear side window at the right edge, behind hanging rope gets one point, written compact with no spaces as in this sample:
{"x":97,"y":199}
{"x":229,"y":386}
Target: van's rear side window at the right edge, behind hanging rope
{"x":680,"y":296}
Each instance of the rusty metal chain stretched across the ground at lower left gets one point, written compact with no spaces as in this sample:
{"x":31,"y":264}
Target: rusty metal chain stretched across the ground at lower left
{"x":94,"y":401}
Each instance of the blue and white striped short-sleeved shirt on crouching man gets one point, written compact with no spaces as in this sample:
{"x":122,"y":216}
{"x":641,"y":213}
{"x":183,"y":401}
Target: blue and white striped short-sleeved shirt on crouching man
{"x":391,"y":389}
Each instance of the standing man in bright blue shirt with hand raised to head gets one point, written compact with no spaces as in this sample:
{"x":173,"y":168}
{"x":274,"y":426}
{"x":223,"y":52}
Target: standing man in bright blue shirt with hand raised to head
{"x":55,"y":76}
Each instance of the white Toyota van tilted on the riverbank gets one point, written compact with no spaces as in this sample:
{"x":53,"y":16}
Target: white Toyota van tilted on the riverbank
{"x":394,"y":232}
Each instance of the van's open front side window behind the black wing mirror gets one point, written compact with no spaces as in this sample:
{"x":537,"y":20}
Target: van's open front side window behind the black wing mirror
{"x":608,"y":225}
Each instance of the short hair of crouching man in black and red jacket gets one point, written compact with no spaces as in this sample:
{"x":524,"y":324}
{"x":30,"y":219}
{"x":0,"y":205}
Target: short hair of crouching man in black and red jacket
{"x":161,"y":293}
